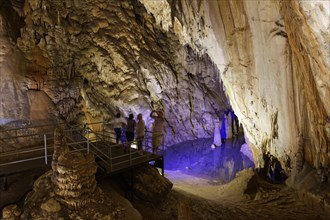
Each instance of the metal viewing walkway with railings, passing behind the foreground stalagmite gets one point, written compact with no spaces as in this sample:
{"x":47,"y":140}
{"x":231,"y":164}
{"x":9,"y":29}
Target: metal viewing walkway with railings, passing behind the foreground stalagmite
{"x":30,"y":149}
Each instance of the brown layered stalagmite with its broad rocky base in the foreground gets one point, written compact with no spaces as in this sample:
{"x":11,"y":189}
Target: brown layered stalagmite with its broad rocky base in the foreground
{"x":69,"y":190}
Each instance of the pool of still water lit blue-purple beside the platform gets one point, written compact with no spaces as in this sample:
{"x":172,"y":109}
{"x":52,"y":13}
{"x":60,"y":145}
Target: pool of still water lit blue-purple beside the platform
{"x":198,"y":159}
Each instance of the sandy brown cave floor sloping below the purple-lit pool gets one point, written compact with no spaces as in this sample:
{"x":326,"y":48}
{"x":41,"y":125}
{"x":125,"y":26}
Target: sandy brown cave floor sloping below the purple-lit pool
{"x":246,"y":197}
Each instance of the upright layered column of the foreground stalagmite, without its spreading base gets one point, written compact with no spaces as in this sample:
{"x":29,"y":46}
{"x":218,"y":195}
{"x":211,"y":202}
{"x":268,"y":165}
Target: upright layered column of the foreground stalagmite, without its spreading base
{"x":73,"y":175}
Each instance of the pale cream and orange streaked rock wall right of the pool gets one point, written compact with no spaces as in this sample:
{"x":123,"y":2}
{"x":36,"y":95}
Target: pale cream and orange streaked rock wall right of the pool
{"x":273,"y":57}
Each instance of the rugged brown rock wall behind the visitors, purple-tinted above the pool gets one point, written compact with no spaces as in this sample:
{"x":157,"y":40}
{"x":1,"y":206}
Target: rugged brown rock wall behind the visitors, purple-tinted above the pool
{"x":99,"y":57}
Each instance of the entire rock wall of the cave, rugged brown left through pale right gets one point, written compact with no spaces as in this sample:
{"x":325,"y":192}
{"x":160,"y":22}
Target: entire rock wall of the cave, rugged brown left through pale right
{"x":94,"y":58}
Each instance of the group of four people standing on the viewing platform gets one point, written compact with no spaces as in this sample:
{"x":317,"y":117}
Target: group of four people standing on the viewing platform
{"x":130,"y":127}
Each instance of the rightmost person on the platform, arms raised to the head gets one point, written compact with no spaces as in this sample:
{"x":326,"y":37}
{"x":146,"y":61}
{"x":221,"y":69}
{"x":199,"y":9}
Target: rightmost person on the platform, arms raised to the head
{"x":157,"y":129}
